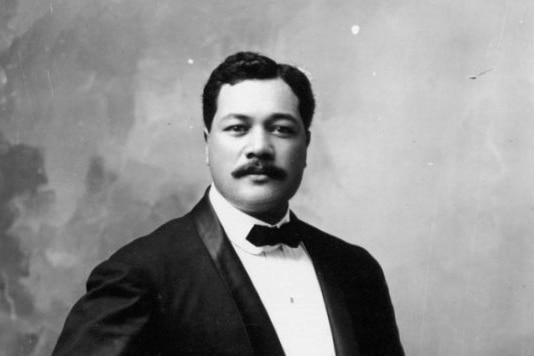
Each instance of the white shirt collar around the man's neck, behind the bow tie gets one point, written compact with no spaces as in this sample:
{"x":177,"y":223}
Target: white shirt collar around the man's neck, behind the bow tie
{"x":237,"y":224}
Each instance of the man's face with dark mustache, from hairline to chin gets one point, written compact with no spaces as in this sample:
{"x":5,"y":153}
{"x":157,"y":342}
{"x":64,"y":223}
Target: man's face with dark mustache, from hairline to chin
{"x":256,"y":148}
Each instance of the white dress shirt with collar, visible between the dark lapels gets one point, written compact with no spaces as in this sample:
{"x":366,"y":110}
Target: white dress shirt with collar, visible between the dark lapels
{"x":285,"y":280}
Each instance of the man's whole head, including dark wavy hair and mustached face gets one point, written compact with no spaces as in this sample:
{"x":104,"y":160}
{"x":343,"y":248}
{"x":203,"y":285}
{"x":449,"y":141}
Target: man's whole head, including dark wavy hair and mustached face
{"x":257,"y":115}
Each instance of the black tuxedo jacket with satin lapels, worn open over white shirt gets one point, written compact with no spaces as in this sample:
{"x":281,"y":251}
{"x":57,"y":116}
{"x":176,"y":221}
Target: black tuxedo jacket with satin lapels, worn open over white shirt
{"x":182,"y":290}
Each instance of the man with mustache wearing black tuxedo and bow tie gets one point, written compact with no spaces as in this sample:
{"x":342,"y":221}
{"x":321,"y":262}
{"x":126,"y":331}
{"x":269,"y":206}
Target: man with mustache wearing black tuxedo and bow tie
{"x":216,"y":283}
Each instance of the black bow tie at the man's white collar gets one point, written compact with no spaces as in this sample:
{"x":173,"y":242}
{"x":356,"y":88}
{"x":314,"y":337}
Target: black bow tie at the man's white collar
{"x":270,"y":236}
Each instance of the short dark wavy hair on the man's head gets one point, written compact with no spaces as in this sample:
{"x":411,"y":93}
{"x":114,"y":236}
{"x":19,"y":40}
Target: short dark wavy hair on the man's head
{"x":249,"y":65}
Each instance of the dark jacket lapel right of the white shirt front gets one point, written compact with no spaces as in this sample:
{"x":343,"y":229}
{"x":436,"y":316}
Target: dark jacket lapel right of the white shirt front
{"x":338,"y":313}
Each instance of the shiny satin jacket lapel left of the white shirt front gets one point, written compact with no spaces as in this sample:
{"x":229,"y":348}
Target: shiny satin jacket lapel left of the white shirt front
{"x":262,"y":335}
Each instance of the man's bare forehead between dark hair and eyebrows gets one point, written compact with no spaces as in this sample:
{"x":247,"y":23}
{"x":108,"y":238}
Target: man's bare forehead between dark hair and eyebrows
{"x":257,"y":98}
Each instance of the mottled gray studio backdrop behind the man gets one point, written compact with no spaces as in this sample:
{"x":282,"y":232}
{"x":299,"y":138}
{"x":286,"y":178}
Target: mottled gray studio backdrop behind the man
{"x":422,"y":148}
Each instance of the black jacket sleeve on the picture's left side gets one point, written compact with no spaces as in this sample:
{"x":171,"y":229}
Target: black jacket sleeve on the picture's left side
{"x":111,"y":318}
